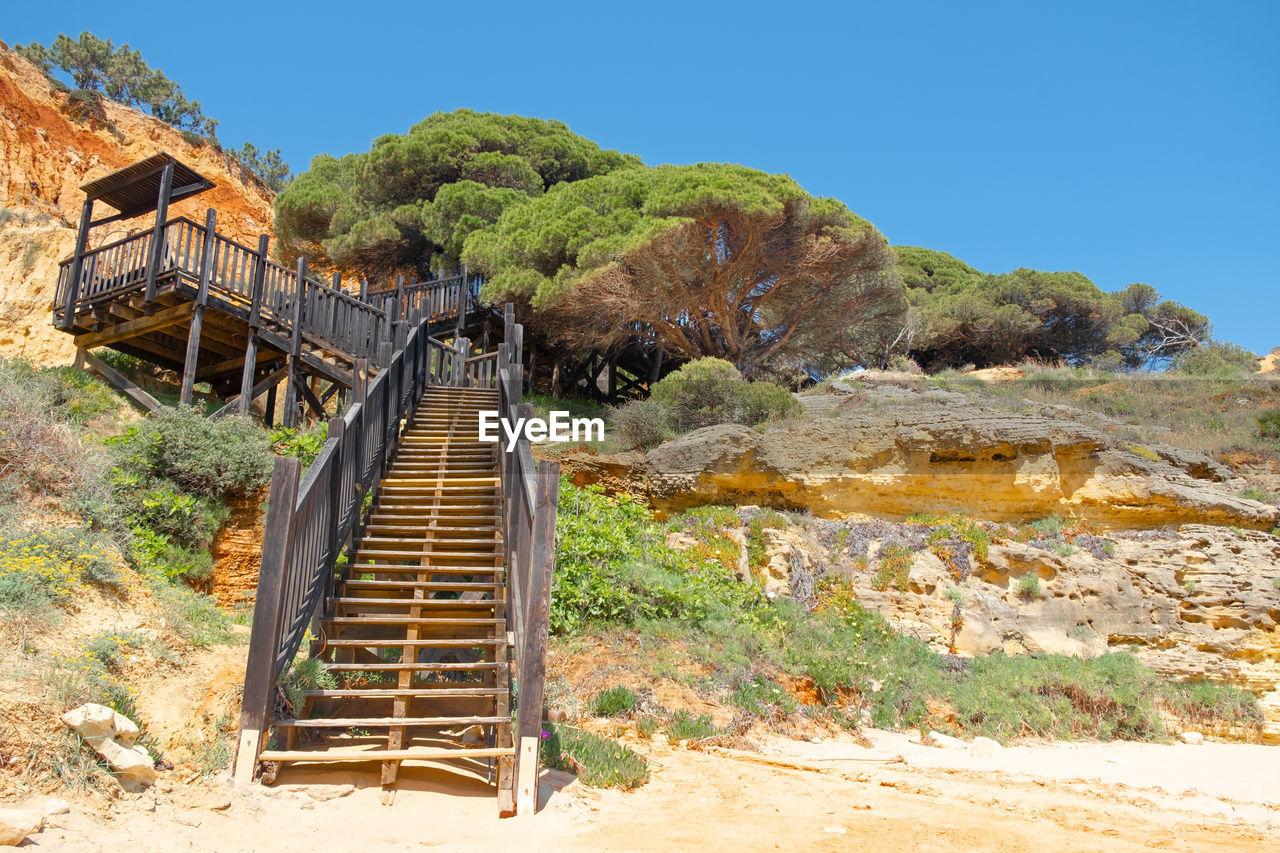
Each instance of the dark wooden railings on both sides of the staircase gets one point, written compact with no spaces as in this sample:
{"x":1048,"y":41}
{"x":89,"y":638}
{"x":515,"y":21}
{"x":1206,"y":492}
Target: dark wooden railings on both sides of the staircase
{"x":310,"y":523}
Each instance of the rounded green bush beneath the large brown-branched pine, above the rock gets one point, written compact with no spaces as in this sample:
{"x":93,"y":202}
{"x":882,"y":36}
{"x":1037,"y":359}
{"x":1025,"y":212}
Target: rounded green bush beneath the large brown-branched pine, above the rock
{"x":712,"y":391}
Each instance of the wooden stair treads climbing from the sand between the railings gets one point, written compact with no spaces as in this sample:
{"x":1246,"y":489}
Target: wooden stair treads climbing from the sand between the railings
{"x":417,"y":636}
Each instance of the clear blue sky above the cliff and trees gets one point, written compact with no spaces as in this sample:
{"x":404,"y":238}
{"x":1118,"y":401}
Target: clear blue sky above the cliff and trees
{"x":1131,"y":142}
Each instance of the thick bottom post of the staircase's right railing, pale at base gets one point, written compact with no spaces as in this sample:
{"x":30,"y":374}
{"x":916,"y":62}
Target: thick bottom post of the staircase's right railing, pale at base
{"x":533,"y":658}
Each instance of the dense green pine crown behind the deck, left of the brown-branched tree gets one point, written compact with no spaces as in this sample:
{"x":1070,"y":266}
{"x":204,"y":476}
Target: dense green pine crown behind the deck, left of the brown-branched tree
{"x":410,"y":202}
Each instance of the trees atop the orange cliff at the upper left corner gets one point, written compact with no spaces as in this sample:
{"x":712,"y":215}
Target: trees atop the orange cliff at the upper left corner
{"x":121,"y":74}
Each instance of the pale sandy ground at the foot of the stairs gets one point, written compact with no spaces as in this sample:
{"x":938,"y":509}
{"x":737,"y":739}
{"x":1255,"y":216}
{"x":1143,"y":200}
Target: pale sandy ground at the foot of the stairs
{"x":835,"y":796}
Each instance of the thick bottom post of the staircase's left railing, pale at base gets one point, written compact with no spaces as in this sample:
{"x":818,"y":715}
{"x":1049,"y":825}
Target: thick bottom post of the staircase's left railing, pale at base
{"x":266,"y":635}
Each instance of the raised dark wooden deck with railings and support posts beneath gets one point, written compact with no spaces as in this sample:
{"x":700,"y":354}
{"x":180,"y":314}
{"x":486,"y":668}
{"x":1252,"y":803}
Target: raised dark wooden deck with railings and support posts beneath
{"x":222,"y":313}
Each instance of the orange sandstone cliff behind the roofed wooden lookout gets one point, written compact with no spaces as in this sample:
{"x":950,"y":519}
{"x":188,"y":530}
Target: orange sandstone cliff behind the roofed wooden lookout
{"x":49,"y":147}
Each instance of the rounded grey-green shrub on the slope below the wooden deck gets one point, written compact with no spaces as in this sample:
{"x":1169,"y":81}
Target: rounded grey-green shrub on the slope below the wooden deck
{"x":228,"y":458}
